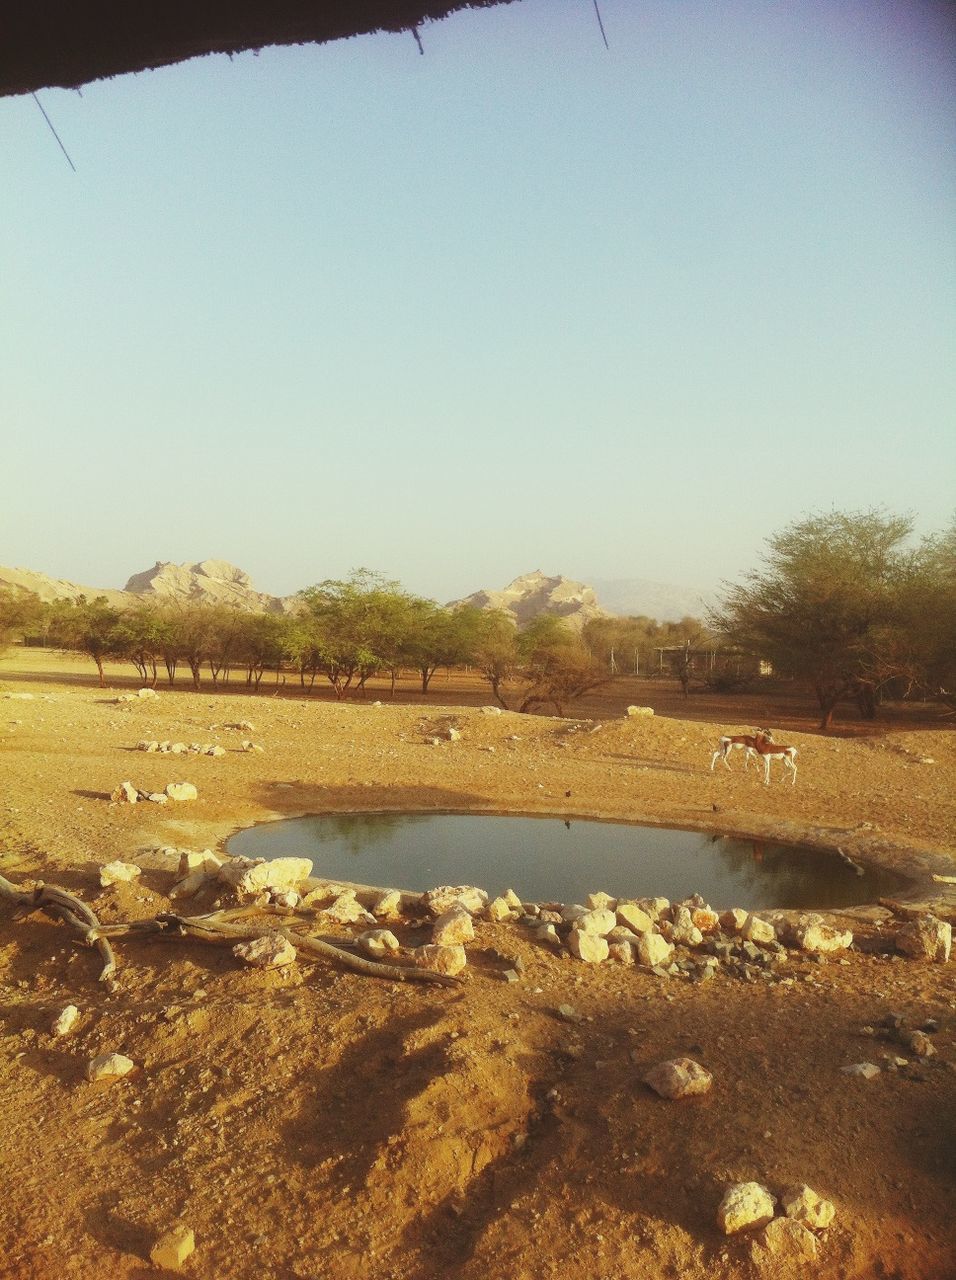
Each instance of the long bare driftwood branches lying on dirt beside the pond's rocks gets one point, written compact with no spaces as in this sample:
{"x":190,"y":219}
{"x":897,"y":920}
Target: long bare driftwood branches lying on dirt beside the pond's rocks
{"x":218,"y":927}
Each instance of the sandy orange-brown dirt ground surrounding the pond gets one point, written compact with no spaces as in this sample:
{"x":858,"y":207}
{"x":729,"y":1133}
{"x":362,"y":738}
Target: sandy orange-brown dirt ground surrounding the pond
{"x":315,"y":1124}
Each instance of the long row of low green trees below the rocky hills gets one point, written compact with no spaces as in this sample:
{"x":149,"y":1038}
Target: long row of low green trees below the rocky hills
{"x":344,"y":633}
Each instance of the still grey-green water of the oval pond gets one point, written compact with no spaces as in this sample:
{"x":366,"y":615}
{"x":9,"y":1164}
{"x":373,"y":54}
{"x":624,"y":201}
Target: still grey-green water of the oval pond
{"x":556,"y":860}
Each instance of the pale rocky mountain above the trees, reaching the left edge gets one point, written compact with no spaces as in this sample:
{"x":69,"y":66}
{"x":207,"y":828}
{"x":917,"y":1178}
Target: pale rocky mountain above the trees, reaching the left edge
{"x":209,"y":582}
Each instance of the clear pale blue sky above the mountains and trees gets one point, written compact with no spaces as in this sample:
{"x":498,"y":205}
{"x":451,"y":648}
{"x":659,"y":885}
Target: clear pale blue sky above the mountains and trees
{"x":522,"y":303}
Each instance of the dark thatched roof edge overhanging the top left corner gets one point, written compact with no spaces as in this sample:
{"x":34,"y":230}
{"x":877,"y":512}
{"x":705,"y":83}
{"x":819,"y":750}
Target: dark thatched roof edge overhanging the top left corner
{"x":66,"y":44}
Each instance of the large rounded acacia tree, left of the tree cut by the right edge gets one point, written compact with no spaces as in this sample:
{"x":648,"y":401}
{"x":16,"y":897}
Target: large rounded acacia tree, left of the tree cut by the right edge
{"x":826,"y":606}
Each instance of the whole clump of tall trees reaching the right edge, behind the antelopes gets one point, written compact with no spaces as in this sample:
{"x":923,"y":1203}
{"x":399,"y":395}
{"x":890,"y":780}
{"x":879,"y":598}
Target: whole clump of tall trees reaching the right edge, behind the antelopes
{"x":848,"y":604}
